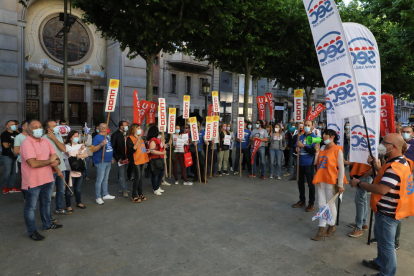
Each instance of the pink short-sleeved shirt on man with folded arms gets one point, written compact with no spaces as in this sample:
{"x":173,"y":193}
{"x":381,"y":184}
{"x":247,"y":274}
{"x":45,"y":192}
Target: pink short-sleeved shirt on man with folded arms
{"x":41,"y":150}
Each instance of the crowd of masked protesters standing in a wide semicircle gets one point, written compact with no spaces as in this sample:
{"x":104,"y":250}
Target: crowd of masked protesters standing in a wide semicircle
{"x":52,"y":165}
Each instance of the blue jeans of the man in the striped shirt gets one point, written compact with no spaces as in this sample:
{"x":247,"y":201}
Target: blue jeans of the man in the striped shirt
{"x":384,"y":230}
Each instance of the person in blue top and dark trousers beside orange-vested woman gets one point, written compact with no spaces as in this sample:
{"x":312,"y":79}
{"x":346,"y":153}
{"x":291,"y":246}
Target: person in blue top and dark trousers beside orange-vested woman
{"x":306,"y":156}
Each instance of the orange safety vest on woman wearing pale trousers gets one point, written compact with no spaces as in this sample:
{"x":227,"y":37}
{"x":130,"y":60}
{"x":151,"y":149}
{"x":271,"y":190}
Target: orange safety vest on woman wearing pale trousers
{"x":328,"y":166}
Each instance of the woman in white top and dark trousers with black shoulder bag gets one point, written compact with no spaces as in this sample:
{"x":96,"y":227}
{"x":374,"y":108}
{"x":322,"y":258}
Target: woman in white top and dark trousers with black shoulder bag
{"x":74,"y":148}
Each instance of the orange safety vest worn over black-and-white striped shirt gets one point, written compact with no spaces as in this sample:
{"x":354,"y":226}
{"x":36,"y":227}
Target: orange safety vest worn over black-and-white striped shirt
{"x":405,"y":207}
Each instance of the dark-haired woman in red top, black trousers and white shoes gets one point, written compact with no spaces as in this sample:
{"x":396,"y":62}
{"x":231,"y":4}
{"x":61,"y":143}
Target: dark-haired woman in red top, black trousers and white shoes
{"x":157,"y":155}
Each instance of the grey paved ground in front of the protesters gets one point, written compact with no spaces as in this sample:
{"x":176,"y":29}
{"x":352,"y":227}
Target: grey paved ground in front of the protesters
{"x":231,"y":226}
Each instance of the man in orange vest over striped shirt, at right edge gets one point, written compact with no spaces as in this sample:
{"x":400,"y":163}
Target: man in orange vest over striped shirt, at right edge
{"x":392,"y":199}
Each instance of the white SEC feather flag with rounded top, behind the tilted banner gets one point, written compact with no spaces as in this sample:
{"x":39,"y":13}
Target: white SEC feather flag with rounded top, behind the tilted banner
{"x":366,"y":63}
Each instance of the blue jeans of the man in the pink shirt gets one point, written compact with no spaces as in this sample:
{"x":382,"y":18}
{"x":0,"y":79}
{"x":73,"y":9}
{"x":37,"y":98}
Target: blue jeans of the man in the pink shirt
{"x":42,"y":193}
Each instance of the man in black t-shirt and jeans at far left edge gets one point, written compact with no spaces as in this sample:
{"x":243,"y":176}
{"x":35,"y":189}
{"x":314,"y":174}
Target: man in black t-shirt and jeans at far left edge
{"x":9,"y":159}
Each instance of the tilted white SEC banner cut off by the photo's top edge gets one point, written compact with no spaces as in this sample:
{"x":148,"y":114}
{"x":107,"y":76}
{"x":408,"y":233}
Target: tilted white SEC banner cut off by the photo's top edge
{"x":334,"y":57}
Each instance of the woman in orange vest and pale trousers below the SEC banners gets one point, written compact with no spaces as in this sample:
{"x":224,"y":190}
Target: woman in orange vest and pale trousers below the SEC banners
{"x":330,"y":171}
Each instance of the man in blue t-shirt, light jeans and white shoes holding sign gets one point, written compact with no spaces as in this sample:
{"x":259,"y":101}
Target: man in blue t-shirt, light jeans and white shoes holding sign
{"x":103,"y":167}
